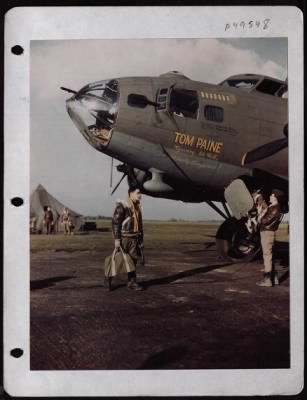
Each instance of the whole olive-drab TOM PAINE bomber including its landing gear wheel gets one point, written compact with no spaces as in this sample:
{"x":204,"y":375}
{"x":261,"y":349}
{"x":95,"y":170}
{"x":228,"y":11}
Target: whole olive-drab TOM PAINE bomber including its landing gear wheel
{"x":188,"y":140}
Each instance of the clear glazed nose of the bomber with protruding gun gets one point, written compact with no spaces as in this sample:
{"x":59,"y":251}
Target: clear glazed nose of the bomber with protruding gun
{"x":93,"y":110}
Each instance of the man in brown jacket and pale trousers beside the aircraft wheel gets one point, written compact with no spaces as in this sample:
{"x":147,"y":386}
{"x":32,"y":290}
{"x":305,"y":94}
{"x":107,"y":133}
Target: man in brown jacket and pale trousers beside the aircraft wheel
{"x":268,"y":226}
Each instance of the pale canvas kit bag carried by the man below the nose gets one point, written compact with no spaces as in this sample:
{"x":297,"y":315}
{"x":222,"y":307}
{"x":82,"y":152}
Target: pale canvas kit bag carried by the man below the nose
{"x":119,"y":262}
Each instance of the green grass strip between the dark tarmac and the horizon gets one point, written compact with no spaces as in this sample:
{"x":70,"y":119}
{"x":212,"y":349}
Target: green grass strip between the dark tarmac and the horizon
{"x":158,"y":234}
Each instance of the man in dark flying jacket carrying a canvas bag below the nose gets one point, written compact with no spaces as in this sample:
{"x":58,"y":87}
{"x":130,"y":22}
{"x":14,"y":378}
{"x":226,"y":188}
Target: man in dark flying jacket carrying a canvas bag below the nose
{"x":127,"y":227}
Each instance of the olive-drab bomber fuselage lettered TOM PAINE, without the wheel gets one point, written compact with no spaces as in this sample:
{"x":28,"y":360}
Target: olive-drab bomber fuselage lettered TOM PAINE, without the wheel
{"x":203,"y":128}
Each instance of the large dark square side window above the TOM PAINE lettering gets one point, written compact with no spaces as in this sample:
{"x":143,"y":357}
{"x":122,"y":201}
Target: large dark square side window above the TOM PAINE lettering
{"x":184,"y":102}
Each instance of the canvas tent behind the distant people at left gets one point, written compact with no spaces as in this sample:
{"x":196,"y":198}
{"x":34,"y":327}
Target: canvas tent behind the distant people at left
{"x":39,"y":200}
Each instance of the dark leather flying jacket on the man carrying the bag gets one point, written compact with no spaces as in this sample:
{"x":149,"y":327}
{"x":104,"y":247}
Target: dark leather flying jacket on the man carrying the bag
{"x":123,"y":222}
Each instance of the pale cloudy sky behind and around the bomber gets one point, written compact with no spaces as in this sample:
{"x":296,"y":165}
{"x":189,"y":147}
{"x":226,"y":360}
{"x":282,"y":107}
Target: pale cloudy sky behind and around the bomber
{"x":61,"y":159}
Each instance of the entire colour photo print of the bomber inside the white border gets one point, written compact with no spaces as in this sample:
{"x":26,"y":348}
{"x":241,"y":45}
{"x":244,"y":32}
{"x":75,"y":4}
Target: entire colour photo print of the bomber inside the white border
{"x":159,"y":215}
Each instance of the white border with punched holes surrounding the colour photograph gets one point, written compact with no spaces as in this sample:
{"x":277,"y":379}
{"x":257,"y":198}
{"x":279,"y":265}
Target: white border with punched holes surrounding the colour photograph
{"x":24,"y":24}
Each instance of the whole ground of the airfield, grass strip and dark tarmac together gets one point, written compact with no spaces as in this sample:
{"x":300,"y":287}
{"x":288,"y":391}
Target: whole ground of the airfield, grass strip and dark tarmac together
{"x":196,"y":312}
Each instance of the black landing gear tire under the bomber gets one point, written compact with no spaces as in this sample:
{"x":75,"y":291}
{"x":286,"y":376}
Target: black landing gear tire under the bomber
{"x":232,"y":243}
